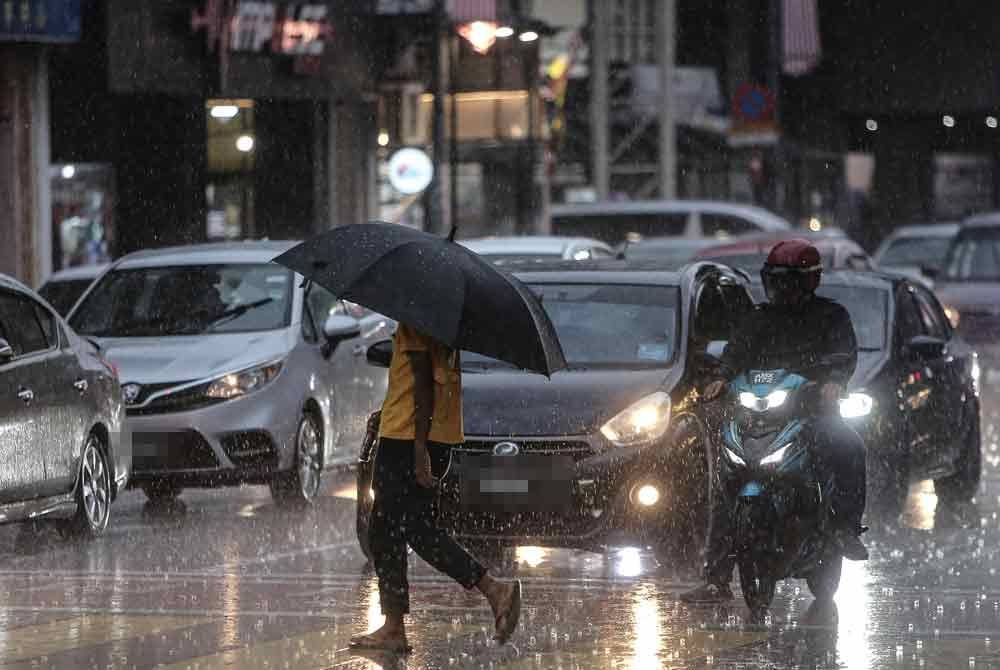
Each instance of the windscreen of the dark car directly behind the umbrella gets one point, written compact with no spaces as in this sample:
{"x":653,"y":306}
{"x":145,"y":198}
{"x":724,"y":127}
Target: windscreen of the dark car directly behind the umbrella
{"x":609,"y":325}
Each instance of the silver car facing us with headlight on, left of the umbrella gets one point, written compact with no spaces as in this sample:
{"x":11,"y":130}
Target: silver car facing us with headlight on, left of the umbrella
{"x":233,"y":369}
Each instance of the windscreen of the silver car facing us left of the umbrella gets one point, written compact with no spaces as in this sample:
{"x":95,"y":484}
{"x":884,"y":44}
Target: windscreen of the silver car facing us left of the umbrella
{"x":187,"y":300}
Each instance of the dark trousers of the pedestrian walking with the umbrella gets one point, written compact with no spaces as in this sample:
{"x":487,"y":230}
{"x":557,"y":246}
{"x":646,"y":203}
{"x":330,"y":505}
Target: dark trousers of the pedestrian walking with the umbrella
{"x":404,"y":514}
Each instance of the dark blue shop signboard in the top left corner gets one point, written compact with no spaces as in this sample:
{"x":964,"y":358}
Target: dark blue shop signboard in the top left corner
{"x":39,"y":20}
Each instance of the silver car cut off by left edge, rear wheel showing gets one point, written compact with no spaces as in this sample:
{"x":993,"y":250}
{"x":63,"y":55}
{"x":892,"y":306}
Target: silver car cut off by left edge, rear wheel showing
{"x":62,"y":456}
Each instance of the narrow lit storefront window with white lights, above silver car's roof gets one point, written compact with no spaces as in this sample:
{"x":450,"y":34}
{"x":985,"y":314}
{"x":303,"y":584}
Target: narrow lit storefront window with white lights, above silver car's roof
{"x":231,"y":150}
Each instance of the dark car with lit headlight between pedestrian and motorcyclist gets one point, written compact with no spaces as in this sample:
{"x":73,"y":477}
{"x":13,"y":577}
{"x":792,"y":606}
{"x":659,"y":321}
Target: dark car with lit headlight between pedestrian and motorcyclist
{"x":611,"y":449}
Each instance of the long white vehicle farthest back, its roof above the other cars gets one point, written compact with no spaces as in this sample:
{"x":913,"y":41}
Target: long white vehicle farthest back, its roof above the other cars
{"x":617,"y":222}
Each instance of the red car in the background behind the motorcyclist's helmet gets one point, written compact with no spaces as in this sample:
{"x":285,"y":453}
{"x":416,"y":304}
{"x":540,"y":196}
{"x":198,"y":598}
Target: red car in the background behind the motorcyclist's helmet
{"x":748,"y":252}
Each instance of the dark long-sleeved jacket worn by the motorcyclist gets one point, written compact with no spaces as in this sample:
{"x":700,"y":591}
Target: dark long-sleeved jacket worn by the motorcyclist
{"x":774,"y":337}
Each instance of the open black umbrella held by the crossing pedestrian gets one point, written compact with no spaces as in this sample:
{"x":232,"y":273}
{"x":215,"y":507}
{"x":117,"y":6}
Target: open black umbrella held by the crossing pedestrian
{"x":435,"y":285}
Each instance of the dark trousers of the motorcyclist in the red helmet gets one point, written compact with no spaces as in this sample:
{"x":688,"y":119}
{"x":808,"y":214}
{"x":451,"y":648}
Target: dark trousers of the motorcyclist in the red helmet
{"x":840,"y":454}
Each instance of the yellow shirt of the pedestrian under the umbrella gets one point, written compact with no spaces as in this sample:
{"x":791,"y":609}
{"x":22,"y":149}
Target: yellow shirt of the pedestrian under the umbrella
{"x":398,"y":410}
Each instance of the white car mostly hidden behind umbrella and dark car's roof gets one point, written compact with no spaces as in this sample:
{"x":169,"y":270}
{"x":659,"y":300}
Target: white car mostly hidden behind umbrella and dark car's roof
{"x":537,"y":248}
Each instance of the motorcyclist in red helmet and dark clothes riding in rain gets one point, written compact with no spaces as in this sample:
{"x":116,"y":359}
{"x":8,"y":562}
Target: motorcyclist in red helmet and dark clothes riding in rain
{"x":795,"y":328}
